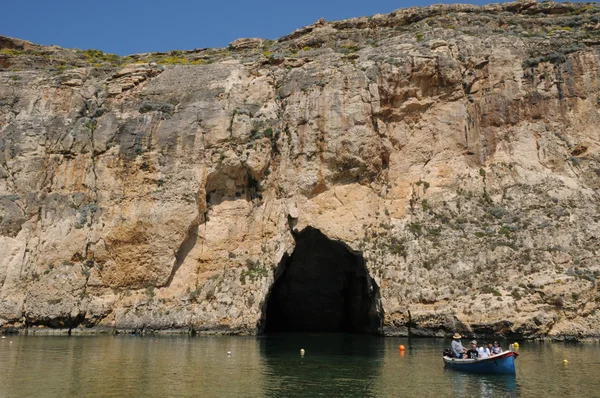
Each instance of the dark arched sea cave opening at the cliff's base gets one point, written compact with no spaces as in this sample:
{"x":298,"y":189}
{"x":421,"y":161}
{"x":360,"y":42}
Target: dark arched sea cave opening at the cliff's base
{"x":323,"y":286}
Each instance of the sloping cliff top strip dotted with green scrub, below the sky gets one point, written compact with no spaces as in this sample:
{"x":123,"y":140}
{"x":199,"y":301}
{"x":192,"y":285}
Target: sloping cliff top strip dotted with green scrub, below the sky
{"x":549,"y":26}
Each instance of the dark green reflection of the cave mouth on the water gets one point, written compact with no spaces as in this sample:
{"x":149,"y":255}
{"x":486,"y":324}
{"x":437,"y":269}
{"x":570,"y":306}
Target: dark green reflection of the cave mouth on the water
{"x":333,"y":365}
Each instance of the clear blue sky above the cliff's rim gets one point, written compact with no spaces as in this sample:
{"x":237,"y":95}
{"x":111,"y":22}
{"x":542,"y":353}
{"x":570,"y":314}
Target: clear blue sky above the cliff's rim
{"x":132,"y":26}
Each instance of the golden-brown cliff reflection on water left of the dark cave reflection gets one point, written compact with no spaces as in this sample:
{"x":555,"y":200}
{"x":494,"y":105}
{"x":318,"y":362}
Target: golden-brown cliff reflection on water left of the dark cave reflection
{"x":130,"y":366}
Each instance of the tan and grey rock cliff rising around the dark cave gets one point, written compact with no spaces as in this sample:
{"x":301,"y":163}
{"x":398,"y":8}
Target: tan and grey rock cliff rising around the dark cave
{"x":452,"y":150}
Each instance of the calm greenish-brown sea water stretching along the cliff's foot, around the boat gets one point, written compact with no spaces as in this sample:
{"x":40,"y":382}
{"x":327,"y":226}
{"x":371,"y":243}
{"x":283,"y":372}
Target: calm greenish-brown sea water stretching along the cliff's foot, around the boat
{"x":271,"y":366}
